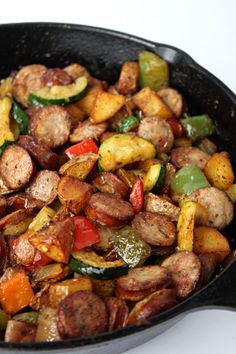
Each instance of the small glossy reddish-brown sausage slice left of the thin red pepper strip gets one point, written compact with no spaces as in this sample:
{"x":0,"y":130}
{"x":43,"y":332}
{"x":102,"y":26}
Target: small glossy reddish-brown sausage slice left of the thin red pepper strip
{"x":107,"y":182}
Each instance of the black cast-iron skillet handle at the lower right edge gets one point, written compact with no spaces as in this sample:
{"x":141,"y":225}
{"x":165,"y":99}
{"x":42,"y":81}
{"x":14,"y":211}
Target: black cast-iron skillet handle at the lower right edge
{"x":219,"y":293}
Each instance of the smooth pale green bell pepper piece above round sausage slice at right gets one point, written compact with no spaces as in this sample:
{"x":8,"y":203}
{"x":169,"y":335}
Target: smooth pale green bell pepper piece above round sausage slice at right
{"x":188,"y":179}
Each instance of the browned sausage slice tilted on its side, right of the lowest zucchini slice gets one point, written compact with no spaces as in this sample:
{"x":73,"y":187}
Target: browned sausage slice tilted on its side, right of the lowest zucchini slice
{"x":153,"y":276}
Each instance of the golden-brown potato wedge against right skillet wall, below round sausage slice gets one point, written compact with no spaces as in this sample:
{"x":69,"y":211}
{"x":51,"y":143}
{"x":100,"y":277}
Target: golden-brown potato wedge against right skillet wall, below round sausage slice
{"x":210,"y":240}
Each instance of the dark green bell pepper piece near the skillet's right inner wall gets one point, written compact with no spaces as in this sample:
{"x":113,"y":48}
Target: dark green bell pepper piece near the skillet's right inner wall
{"x":198,"y":127}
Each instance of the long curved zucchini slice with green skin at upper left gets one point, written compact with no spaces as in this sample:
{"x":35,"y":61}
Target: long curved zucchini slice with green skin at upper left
{"x":59,"y":95}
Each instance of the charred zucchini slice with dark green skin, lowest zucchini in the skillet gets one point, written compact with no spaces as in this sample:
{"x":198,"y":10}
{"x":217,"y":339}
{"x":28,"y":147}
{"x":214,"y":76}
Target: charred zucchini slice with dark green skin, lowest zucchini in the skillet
{"x":87,"y":262}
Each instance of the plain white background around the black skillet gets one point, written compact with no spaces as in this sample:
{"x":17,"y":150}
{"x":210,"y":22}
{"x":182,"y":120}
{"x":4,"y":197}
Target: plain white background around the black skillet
{"x":207,"y":31}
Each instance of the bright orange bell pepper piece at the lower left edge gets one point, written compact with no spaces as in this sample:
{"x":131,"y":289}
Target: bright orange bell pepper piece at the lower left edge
{"x":15,"y":292}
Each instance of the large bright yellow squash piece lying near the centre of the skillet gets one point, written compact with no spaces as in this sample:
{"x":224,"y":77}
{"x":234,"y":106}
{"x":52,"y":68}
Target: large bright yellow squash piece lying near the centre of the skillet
{"x":122,"y":149}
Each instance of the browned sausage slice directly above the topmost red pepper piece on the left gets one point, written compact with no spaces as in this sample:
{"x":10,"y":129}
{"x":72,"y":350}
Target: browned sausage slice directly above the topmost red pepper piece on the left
{"x":87,"y":130}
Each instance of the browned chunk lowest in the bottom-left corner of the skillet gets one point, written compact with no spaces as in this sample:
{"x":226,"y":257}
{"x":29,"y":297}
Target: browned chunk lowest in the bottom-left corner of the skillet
{"x":20,"y":332}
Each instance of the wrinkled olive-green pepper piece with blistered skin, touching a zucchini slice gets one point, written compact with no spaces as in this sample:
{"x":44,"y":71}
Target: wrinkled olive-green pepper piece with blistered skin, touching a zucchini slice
{"x":130,"y":247}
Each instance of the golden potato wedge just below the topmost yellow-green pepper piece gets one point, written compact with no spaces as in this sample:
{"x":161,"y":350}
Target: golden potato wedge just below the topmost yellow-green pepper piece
{"x":151,"y":104}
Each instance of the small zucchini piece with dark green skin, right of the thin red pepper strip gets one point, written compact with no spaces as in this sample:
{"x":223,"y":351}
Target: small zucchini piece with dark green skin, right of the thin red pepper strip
{"x":154,"y":178}
